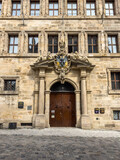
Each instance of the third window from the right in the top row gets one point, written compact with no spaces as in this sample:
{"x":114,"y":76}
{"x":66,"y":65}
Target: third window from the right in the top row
{"x":72,"y":8}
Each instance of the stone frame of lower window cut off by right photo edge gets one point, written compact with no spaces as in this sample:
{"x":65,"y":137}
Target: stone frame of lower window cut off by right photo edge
{"x":110,"y":90}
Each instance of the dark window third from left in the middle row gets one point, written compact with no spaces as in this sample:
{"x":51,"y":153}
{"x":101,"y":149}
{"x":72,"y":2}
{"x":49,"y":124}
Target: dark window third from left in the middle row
{"x":53,"y":43}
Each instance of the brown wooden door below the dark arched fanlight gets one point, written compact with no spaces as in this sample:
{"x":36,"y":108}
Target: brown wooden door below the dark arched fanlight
{"x":62,"y":110}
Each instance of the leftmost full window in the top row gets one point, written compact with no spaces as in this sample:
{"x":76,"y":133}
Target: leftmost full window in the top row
{"x":16,"y":8}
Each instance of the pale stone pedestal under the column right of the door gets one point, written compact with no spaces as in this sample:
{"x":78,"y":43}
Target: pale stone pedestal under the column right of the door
{"x":85,"y":122}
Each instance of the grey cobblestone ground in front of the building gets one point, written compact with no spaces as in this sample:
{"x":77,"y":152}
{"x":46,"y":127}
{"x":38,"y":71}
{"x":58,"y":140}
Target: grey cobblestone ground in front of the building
{"x":31,"y":147}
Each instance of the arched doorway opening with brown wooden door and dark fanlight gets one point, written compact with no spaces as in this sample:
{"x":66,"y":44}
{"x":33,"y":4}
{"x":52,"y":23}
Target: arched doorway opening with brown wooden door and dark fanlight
{"x":62,"y":105}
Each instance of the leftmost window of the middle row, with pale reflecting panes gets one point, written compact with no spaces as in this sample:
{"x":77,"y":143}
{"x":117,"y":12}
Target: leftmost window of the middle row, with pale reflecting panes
{"x":13,"y":44}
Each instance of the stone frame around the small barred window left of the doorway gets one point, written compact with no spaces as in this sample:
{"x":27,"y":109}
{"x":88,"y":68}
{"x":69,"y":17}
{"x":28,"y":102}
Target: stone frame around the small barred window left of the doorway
{"x":2,"y":91}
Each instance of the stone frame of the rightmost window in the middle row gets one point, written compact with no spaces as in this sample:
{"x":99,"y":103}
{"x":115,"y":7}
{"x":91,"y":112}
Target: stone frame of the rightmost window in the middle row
{"x":112,"y":33}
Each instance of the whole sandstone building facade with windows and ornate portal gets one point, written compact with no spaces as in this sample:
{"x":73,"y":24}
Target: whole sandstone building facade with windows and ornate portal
{"x":33,"y":80}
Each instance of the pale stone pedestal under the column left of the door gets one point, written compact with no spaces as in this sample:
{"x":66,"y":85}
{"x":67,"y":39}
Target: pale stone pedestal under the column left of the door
{"x":39,"y":121}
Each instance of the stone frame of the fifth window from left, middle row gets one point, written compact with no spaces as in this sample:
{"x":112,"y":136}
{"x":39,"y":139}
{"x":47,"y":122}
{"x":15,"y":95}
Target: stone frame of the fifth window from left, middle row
{"x":99,"y":46}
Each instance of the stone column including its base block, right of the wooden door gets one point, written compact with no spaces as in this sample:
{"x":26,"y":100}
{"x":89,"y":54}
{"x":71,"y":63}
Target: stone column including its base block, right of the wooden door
{"x":85,"y":119}
